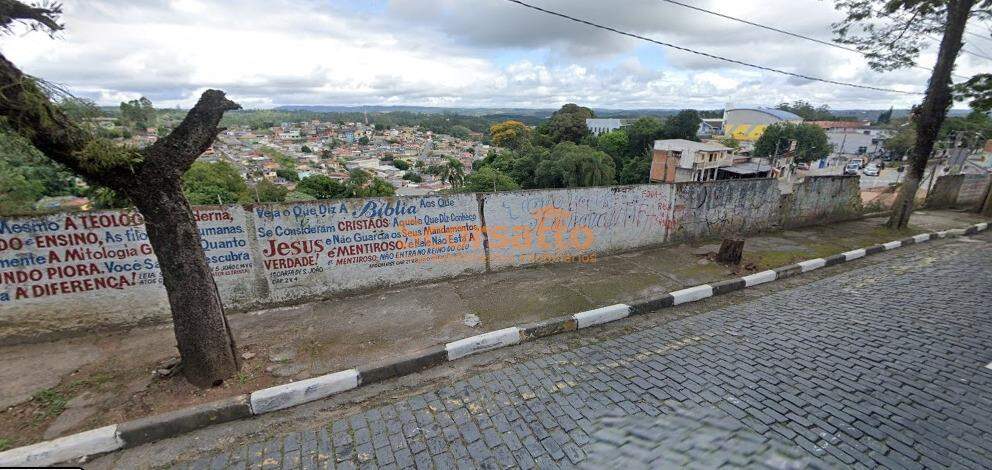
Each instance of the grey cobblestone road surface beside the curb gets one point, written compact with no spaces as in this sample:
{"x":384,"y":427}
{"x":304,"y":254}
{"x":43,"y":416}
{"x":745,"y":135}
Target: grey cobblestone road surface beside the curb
{"x":880,"y":366}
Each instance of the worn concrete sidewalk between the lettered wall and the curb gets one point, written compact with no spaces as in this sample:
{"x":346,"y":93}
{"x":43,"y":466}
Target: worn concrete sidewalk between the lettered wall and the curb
{"x":85,"y":382}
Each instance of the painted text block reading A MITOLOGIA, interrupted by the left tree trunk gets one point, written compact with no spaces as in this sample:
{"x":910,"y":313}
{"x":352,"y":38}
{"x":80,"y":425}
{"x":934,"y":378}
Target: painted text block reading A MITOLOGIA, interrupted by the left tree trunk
{"x":67,"y":254}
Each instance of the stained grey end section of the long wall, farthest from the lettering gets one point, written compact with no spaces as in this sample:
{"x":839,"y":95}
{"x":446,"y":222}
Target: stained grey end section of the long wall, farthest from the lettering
{"x":822,"y":199}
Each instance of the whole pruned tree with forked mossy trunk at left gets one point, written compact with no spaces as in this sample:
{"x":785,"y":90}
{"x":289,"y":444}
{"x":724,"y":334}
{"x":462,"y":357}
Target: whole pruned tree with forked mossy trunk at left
{"x":151,"y":178}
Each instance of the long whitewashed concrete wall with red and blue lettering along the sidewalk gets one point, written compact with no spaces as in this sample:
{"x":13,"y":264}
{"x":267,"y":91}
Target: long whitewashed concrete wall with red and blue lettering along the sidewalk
{"x":71,"y":271}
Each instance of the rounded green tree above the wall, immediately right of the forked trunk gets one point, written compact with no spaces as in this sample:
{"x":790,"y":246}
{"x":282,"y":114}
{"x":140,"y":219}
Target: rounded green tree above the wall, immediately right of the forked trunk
{"x":214,"y":183}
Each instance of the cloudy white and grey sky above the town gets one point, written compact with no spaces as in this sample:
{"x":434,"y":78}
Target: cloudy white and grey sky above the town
{"x":486,"y":53}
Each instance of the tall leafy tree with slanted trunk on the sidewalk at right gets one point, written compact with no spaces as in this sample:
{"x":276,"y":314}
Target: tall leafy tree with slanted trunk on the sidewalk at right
{"x":891,"y":34}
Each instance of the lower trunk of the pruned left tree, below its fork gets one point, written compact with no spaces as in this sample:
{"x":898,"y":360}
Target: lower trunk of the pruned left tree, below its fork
{"x":202,"y":334}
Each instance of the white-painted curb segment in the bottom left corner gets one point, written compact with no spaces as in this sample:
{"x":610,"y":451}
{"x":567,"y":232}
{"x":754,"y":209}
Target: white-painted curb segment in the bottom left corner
{"x":64,"y":449}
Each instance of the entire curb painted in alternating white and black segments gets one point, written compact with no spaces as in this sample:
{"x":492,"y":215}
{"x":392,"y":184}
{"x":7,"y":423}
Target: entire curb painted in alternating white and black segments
{"x":152,"y":428}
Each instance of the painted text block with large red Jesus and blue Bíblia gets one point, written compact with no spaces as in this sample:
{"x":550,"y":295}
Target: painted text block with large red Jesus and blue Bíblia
{"x":313,"y":248}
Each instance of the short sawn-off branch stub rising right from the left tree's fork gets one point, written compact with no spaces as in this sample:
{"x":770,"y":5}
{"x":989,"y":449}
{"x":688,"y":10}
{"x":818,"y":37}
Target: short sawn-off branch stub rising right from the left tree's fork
{"x":172,"y":155}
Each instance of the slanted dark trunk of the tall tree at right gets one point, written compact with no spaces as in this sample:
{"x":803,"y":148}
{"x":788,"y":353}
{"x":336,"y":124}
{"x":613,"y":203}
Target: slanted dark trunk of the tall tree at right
{"x":933,"y":110}
